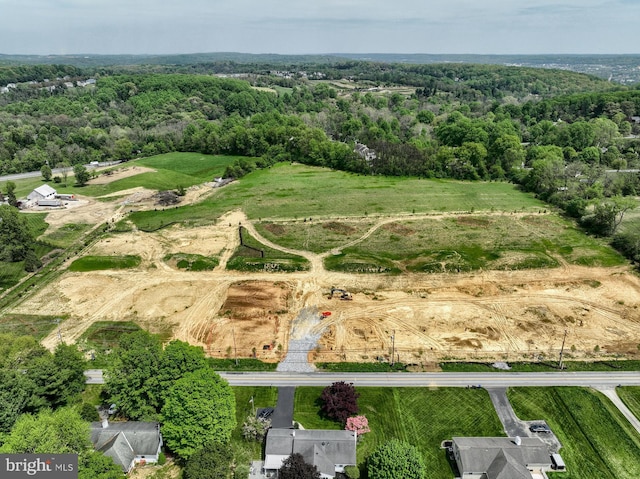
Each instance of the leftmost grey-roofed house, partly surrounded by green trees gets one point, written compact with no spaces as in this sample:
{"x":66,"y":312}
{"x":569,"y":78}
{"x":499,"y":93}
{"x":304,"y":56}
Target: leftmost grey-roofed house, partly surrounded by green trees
{"x":127,"y":443}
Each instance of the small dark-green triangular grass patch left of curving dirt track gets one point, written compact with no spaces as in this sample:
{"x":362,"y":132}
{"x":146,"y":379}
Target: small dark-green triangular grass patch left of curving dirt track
{"x":247,"y":257}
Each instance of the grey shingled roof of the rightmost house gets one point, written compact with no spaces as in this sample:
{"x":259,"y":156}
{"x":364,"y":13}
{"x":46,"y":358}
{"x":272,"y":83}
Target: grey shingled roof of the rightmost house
{"x":477,"y":454}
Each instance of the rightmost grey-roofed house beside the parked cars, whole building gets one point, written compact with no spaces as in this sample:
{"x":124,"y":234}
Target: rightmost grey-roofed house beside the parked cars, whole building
{"x":501,"y":457}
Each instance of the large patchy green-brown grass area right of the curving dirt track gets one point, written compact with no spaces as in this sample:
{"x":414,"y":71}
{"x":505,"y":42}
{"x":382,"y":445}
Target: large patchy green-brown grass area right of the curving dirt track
{"x":469,"y":243}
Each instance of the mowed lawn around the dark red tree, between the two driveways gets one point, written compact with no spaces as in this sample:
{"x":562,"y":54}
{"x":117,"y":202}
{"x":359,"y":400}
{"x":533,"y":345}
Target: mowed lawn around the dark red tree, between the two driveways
{"x":422,"y":417}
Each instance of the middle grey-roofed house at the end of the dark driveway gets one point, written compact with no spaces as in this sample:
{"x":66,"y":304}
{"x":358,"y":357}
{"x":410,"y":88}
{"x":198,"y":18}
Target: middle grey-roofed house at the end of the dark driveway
{"x":329,"y":451}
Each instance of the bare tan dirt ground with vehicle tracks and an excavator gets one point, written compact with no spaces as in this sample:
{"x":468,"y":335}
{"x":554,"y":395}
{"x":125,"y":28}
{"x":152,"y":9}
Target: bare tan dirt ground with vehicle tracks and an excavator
{"x":487,"y":315}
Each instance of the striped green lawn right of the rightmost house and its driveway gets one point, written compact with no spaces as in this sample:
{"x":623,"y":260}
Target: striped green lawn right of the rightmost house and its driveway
{"x":597,"y":441}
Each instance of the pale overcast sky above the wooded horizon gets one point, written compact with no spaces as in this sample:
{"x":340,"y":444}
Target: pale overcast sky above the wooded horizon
{"x":63,"y":27}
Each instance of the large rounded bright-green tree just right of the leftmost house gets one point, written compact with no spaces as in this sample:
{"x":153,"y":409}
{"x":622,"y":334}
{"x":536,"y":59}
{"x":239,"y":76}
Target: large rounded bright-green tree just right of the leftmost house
{"x":199,"y":409}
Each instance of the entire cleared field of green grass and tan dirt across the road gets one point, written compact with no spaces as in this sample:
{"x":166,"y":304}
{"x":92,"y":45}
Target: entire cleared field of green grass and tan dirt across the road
{"x":450,"y":270}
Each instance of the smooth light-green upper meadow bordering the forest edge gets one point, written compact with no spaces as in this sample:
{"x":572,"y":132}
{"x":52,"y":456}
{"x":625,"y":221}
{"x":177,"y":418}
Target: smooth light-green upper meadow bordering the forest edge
{"x":293,"y":191}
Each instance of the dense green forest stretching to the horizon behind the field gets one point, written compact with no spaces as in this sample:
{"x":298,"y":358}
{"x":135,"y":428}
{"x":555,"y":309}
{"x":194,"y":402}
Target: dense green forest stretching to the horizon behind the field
{"x":570,"y":138}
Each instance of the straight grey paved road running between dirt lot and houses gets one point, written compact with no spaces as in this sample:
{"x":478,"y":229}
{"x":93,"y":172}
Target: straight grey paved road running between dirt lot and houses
{"x":487,"y":380}
